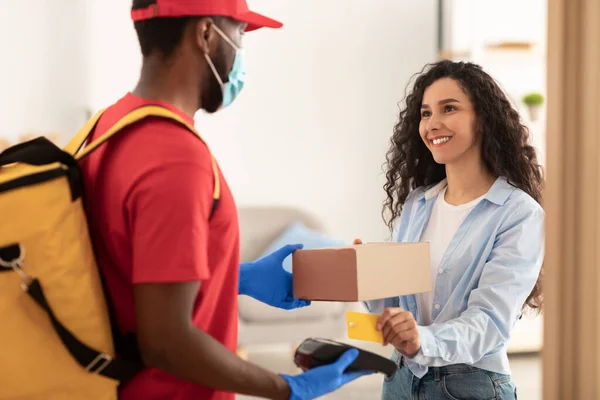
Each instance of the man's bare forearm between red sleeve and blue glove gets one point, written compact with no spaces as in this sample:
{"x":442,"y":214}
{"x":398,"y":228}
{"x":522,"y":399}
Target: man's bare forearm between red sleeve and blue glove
{"x":169,"y":341}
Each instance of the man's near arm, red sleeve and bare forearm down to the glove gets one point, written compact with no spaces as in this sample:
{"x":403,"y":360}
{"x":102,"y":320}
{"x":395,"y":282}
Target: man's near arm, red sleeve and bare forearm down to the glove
{"x":167,"y":206}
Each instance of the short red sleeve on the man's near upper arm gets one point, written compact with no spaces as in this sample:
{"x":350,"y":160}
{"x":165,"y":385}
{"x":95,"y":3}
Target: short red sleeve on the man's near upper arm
{"x":168,"y":209}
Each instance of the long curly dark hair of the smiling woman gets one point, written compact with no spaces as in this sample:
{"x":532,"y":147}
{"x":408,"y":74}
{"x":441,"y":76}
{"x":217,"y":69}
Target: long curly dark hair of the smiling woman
{"x":504,"y":143}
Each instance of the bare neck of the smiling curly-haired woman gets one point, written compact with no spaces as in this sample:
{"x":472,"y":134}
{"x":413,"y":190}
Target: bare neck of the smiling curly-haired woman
{"x":467,"y":180}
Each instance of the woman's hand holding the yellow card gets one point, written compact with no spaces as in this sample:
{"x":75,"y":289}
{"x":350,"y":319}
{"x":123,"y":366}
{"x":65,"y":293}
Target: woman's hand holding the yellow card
{"x":400,"y":330}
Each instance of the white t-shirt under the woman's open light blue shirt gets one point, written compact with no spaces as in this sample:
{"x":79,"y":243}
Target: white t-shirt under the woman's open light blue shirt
{"x":443,"y":223}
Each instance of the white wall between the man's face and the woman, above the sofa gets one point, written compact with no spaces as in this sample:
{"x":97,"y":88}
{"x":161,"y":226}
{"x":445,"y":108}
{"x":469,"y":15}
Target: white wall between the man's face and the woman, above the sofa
{"x":312,"y":126}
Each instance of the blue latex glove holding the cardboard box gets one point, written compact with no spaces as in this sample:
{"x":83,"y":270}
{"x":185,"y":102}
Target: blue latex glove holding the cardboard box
{"x":267,"y":281}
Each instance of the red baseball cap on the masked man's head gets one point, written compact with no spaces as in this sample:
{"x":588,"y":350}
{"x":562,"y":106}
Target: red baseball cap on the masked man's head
{"x":235,"y":9}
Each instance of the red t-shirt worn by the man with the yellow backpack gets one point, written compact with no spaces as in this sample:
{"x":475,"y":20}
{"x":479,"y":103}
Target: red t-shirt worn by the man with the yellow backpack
{"x":149,"y":193}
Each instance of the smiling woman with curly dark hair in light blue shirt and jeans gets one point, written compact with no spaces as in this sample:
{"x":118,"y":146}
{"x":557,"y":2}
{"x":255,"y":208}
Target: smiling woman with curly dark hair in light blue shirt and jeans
{"x":462,"y":177}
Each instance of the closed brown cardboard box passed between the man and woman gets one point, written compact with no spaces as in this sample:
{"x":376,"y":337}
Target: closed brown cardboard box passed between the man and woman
{"x":361,"y":272}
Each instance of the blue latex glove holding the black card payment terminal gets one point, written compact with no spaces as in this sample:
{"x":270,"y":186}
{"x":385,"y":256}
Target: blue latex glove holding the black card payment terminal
{"x":324,"y":379}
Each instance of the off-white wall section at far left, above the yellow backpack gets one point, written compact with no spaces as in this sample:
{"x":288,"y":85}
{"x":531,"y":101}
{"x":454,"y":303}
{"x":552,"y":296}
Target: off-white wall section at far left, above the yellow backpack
{"x":44,"y":69}
